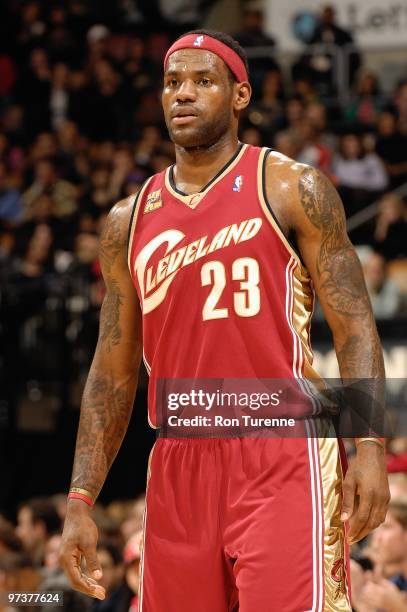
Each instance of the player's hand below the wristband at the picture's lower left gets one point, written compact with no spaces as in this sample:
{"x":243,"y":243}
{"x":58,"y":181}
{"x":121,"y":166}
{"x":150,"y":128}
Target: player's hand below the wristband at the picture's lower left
{"x":79,"y":540}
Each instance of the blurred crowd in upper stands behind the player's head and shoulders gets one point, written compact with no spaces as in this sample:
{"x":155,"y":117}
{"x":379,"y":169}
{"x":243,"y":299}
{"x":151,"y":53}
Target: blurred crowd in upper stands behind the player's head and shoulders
{"x":81,"y":127}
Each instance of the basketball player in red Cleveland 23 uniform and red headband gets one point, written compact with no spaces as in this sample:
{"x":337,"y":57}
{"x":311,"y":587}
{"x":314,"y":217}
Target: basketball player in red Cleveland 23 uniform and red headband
{"x":204,"y":281}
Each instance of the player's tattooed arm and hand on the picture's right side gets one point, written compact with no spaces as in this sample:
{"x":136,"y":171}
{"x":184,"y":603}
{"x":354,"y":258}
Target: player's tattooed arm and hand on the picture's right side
{"x":308,"y":204}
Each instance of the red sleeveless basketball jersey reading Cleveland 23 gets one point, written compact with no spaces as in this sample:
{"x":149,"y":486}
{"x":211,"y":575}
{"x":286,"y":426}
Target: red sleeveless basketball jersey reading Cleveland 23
{"x":223,"y":294}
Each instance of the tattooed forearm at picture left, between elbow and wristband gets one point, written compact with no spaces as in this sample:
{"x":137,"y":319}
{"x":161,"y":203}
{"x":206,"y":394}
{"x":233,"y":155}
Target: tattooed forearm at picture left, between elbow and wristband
{"x":105,"y":415}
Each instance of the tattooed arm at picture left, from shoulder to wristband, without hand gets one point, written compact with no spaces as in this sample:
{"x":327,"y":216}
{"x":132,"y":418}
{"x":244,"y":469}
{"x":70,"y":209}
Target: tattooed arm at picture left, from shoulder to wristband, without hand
{"x":110,"y":388}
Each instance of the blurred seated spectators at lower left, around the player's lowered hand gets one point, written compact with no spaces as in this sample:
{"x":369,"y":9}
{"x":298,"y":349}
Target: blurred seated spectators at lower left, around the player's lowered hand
{"x":29,"y":554}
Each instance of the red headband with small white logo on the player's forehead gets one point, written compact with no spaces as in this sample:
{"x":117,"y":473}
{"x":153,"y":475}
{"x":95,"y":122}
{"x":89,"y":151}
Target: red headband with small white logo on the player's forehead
{"x":207,"y":43}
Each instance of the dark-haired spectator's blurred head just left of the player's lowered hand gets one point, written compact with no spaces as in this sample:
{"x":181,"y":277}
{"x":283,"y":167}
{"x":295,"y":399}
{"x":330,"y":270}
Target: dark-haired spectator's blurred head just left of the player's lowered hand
{"x":37,"y":522}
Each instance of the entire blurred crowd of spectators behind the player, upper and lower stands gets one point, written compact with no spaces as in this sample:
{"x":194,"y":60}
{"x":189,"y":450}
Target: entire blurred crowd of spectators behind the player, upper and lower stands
{"x":80,"y":128}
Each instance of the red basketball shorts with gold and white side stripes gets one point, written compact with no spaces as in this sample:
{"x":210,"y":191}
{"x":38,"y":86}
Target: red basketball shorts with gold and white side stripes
{"x":244,"y":524}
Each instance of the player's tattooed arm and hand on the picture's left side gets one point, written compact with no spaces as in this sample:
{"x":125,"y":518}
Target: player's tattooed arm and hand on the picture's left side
{"x":107,"y":400}
